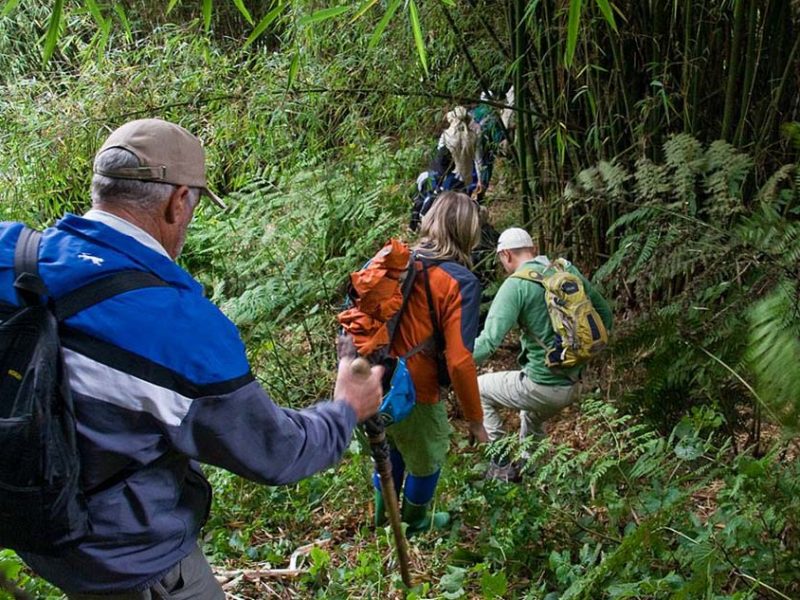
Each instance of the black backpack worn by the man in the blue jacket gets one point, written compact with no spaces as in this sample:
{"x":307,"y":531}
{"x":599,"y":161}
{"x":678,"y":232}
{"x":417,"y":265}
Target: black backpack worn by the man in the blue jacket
{"x":42,"y":504}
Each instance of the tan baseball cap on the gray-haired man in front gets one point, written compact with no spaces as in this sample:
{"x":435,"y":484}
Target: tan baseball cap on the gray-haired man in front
{"x":167,"y":153}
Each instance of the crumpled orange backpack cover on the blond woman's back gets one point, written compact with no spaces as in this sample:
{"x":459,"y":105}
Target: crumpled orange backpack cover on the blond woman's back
{"x":376,"y":294}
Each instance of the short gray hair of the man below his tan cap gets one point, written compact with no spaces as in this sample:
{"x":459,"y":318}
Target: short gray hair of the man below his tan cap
{"x":132,"y":193}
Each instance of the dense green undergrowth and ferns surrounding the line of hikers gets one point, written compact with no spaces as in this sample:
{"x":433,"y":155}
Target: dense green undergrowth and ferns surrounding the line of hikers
{"x":671,"y":482}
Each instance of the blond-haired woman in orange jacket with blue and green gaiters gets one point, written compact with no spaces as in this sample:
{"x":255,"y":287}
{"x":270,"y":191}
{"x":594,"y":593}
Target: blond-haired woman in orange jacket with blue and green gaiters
{"x":437,"y":329}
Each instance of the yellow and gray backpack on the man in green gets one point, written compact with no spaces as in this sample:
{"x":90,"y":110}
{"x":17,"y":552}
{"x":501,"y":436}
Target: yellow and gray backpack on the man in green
{"x":579,"y":331}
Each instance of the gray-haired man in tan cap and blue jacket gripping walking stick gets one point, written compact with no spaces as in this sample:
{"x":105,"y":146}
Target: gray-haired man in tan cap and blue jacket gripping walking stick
{"x":160,"y":379}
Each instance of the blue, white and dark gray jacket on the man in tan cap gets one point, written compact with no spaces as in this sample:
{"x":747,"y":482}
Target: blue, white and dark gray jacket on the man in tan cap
{"x":160,"y":380}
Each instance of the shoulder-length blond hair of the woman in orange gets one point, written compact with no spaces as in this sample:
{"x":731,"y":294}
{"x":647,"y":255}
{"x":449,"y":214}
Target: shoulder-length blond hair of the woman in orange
{"x":451,"y":229}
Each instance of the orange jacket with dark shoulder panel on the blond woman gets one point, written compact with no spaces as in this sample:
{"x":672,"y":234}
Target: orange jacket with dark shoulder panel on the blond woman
{"x":456,"y":302}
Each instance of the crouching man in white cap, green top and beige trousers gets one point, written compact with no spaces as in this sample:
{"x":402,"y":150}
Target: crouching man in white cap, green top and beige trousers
{"x":538,"y":391}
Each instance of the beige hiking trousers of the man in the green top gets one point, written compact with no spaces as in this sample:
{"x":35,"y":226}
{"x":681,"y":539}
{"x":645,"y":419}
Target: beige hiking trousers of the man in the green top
{"x":513,"y":389}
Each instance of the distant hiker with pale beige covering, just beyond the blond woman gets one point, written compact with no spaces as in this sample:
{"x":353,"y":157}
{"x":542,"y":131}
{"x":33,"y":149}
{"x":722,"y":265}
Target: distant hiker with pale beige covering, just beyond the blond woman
{"x":457,"y":152}
